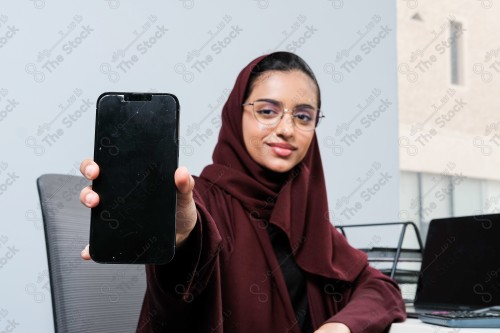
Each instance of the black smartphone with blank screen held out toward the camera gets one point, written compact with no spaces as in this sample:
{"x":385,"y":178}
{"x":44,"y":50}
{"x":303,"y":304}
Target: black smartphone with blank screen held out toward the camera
{"x":136,"y":148}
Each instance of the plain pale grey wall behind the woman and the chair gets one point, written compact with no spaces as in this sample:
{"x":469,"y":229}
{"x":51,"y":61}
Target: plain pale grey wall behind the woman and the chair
{"x":56,"y":57}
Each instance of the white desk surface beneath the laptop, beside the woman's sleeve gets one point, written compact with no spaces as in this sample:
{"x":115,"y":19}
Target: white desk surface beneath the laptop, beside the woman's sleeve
{"x":416,"y":326}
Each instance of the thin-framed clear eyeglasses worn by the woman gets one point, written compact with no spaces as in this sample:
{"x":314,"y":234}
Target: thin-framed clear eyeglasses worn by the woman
{"x":270,"y":113}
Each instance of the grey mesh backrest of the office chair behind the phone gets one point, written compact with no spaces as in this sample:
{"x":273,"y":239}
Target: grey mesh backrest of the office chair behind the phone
{"x":86,"y":296}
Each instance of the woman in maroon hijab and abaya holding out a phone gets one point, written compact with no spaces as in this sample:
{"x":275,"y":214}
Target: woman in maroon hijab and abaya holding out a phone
{"x":256,"y":251}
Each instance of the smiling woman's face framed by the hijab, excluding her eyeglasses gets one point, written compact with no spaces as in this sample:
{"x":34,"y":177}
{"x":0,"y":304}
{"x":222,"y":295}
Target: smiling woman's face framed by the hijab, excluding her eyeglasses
{"x":280,"y":147}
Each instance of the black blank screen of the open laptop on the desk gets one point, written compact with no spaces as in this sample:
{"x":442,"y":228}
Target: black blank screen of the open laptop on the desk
{"x":461,"y":263}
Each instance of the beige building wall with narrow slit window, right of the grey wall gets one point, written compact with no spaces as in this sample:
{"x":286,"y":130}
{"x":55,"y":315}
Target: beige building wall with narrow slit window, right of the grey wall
{"x":444,"y":127}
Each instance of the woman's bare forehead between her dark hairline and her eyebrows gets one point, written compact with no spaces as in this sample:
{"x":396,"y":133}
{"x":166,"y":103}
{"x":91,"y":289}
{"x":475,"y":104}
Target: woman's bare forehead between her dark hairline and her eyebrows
{"x":290,"y":87}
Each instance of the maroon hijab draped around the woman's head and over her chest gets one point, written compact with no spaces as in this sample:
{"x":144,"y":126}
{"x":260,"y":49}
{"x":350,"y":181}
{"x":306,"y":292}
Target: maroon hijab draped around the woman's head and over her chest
{"x":295,"y":201}
